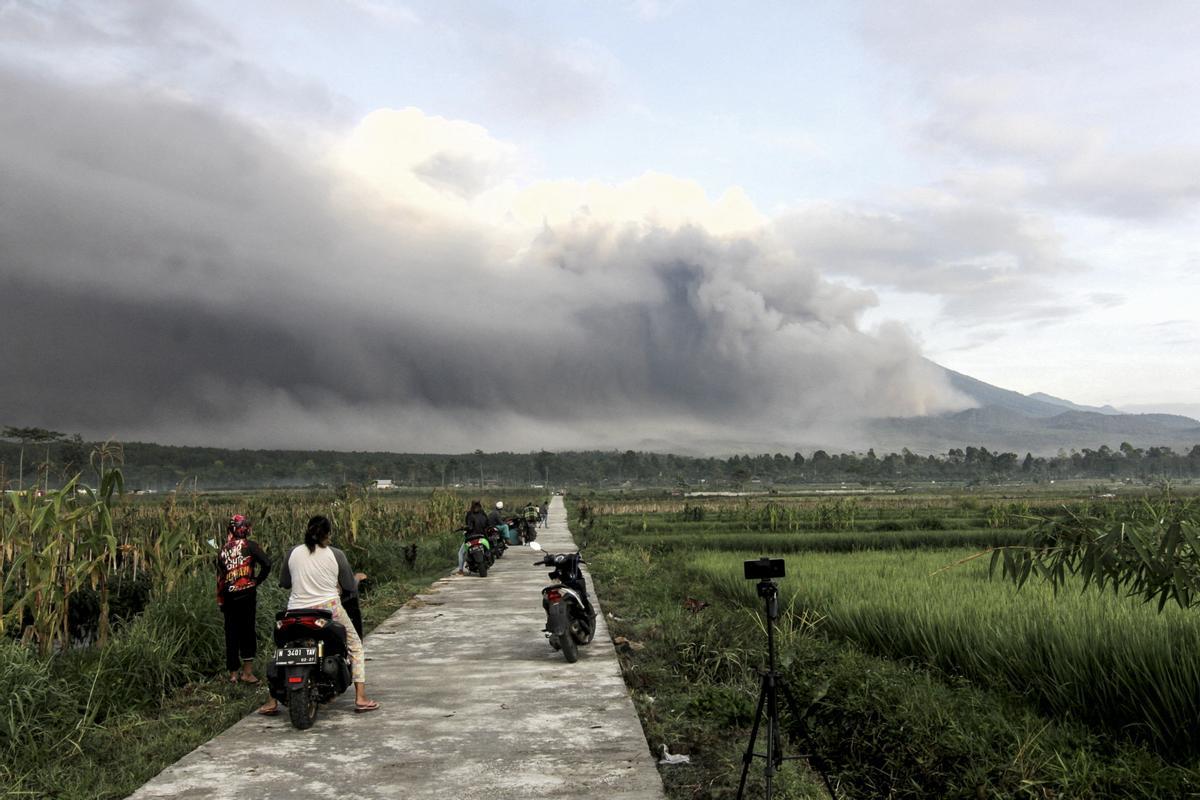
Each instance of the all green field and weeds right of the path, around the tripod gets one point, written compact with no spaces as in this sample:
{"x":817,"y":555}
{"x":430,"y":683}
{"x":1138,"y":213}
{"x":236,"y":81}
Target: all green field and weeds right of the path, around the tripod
{"x":929,"y":677}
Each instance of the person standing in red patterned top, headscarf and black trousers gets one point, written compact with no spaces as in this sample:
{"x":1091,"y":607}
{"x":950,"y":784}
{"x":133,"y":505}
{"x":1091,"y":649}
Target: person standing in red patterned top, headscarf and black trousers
{"x":242,"y":566}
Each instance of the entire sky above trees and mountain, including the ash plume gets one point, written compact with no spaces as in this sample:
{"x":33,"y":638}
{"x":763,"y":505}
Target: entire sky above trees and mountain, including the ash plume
{"x":656,"y":224}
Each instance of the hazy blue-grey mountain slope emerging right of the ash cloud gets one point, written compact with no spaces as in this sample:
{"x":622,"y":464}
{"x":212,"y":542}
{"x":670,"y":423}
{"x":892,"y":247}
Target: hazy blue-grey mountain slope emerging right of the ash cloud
{"x":1040,"y":424}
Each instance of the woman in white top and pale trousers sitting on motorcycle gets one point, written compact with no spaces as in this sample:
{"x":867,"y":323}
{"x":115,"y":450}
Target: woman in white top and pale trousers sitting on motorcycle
{"x":319,"y":575}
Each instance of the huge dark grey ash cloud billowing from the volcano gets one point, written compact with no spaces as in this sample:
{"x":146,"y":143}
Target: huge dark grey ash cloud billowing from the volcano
{"x":176,"y":274}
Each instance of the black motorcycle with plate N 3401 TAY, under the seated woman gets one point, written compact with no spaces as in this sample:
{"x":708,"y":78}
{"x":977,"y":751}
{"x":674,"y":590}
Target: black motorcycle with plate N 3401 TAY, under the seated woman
{"x":311,"y":665}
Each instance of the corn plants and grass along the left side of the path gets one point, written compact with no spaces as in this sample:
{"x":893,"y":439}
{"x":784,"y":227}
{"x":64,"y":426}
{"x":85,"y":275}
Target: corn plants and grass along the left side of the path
{"x":111,"y":641}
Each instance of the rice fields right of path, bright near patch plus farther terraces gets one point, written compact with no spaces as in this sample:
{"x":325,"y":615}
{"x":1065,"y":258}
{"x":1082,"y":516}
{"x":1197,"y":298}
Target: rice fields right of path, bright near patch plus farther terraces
{"x":899,"y":578}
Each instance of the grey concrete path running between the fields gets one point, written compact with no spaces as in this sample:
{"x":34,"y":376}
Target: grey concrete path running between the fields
{"x":475,"y":705}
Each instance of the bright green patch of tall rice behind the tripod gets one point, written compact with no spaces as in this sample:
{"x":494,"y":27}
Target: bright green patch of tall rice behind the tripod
{"x":1108,"y":660}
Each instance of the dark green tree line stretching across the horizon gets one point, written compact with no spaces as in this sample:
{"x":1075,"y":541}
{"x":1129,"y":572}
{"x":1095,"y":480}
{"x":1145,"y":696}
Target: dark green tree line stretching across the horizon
{"x":46,"y":459}
